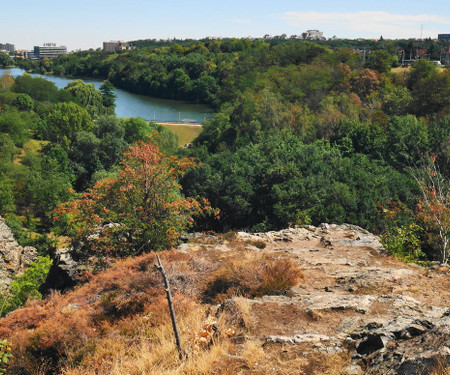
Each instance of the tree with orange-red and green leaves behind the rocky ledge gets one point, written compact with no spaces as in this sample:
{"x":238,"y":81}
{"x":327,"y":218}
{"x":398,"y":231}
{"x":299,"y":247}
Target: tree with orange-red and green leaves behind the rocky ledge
{"x":141,"y":209}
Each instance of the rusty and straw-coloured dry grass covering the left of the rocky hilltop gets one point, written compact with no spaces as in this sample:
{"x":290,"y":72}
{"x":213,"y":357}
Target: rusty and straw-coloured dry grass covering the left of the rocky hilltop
{"x":118,"y":322}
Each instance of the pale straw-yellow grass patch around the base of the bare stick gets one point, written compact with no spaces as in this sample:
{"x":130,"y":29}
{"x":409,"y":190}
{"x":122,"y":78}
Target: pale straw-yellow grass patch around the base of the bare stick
{"x":151,"y":349}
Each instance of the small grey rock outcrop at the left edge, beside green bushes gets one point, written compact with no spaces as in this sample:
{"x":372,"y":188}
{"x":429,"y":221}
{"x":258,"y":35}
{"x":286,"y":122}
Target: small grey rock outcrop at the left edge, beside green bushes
{"x":13,"y":257}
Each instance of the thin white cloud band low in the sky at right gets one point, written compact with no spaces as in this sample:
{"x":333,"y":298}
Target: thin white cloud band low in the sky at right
{"x":369,"y":23}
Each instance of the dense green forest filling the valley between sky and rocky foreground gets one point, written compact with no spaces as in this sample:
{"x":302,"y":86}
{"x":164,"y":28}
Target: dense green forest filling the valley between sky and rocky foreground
{"x":304,"y":133}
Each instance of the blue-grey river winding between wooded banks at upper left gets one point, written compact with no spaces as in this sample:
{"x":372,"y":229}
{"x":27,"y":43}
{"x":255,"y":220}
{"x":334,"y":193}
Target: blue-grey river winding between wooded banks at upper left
{"x":133,"y":105}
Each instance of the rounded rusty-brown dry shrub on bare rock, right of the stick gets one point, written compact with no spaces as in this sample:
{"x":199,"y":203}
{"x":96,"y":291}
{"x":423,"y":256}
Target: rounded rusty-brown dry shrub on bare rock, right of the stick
{"x":251,"y":278}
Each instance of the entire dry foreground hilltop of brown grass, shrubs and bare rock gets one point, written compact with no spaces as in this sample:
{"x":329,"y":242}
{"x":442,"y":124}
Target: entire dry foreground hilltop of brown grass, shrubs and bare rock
{"x":313,"y":300}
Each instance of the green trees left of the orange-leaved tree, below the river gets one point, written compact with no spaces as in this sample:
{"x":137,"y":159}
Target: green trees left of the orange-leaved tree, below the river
{"x":55,"y":141}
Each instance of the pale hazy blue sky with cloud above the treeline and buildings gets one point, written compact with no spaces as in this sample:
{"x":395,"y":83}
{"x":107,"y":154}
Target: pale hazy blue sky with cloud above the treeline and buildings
{"x":87,"y":23}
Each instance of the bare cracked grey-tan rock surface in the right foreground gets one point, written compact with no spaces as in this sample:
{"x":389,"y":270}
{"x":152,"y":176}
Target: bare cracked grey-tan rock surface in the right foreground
{"x":391,"y":317}
